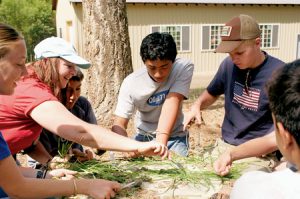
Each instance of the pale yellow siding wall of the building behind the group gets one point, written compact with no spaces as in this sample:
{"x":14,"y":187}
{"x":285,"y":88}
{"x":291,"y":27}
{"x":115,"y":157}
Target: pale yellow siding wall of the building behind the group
{"x":141,"y":17}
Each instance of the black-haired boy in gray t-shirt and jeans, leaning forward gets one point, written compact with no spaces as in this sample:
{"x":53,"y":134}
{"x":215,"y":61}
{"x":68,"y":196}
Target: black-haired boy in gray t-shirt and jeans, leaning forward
{"x":156,"y":93}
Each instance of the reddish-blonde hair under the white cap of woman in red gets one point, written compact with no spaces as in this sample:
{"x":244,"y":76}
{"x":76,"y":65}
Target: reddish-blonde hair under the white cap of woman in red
{"x":46,"y":70}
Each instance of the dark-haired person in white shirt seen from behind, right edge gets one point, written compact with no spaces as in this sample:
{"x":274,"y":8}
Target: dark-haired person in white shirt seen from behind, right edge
{"x":284,"y":96}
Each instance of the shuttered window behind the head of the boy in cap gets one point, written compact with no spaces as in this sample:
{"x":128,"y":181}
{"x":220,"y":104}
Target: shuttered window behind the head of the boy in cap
{"x":211,"y":36}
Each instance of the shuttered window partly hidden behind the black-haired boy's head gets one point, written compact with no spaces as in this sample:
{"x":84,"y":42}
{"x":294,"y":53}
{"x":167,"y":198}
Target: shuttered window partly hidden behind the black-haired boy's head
{"x":181,"y":35}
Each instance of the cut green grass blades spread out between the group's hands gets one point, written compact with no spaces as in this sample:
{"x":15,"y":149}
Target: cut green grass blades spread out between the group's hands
{"x":194,"y":170}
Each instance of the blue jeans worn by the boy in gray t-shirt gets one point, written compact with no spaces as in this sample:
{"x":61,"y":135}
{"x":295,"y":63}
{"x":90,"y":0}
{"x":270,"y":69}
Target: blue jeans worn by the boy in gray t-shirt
{"x":180,"y":145}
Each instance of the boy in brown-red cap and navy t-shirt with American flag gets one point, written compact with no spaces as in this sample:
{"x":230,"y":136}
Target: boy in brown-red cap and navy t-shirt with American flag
{"x":241,"y":77}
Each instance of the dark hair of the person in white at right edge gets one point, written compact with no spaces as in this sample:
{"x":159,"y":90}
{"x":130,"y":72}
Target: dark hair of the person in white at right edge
{"x":284,"y":96}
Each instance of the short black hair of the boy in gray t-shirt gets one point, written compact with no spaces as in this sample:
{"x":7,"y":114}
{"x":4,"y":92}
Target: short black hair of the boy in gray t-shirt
{"x":158,"y":46}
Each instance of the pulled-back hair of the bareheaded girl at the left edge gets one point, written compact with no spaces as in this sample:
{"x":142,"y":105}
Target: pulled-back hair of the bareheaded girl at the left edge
{"x":8,"y":36}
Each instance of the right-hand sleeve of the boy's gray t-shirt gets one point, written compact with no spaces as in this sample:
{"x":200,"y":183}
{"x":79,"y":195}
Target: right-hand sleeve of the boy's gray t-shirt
{"x":183,"y":79}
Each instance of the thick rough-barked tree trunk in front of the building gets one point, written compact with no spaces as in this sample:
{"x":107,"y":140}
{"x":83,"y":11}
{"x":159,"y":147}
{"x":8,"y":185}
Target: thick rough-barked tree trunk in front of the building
{"x":107,"y":47}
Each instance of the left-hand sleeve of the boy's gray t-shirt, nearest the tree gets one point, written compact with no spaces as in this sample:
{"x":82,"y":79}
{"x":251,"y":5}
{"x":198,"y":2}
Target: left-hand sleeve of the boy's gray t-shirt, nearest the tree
{"x":125,"y":106}
